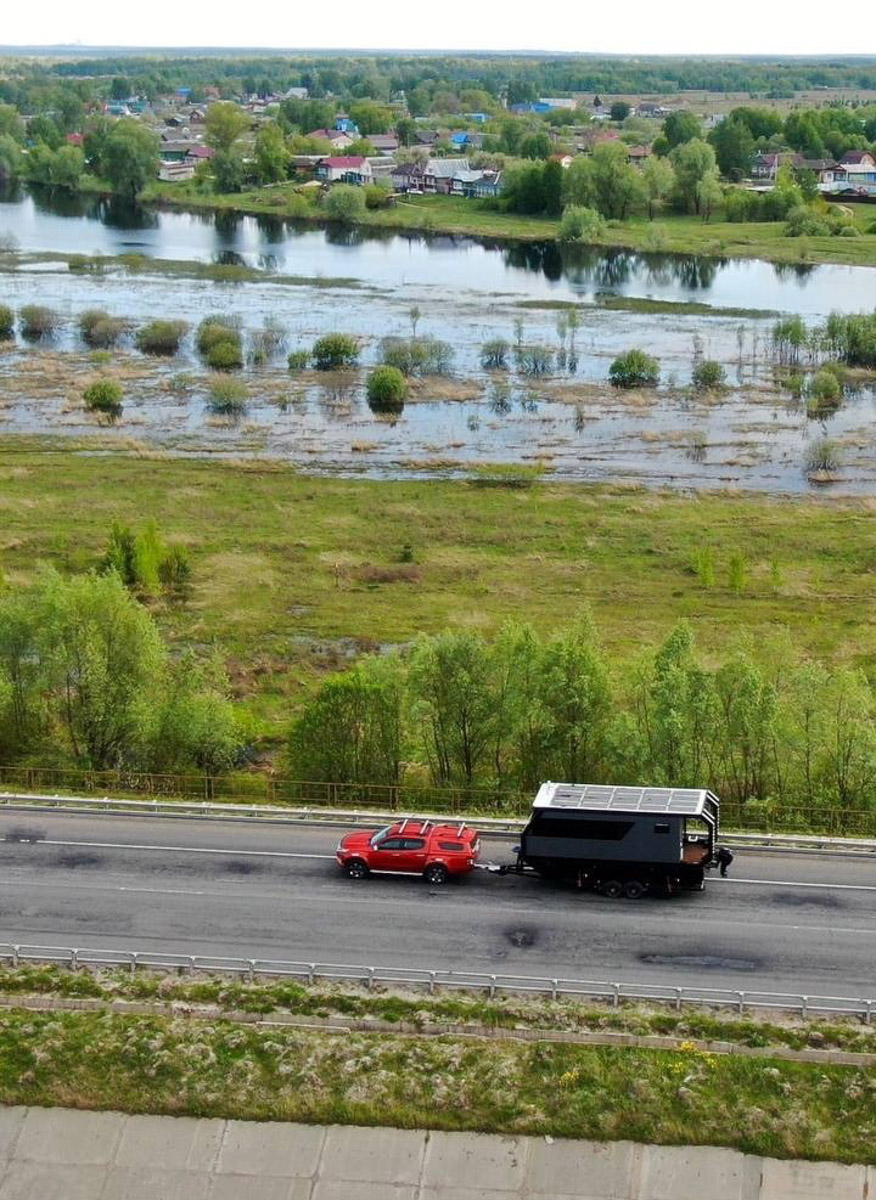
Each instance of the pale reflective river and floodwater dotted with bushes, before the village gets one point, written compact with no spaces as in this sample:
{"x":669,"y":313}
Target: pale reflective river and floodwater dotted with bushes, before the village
{"x":752,"y":436}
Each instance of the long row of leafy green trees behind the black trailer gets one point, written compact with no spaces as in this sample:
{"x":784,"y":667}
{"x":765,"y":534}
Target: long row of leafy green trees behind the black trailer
{"x":459,"y":711}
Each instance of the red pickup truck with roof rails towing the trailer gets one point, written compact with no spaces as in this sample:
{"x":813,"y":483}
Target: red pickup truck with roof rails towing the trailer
{"x":436,"y":851}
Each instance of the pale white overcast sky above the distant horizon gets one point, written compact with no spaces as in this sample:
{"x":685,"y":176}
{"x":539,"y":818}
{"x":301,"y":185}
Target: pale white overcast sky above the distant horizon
{"x":635,"y":27}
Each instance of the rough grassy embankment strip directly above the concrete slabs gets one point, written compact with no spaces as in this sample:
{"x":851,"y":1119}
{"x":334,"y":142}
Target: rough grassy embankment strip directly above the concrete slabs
{"x":218,"y":1069}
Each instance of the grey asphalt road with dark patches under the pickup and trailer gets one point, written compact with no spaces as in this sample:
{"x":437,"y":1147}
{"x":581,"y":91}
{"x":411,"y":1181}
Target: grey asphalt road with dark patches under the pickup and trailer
{"x":779,"y":923}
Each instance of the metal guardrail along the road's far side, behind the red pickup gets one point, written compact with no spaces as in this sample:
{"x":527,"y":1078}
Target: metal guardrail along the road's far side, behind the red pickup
{"x":371,"y":817}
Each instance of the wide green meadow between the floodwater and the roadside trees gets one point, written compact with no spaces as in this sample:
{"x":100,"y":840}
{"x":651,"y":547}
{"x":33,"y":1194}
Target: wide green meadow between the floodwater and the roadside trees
{"x":296,"y":574}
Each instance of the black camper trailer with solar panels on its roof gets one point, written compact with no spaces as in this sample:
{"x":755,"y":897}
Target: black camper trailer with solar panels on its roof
{"x":622,"y":841}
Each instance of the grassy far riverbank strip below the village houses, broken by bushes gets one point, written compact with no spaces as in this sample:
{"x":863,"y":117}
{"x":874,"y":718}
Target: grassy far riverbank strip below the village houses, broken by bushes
{"x":671,"y":233}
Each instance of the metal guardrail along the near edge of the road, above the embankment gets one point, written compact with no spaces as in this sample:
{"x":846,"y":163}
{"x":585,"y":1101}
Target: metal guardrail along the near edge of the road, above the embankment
{"x":434,"y":981}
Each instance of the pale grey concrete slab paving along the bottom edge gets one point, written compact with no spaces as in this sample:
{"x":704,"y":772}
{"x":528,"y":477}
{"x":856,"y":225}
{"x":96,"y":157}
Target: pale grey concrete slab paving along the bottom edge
{"x":68,"y":1155}
